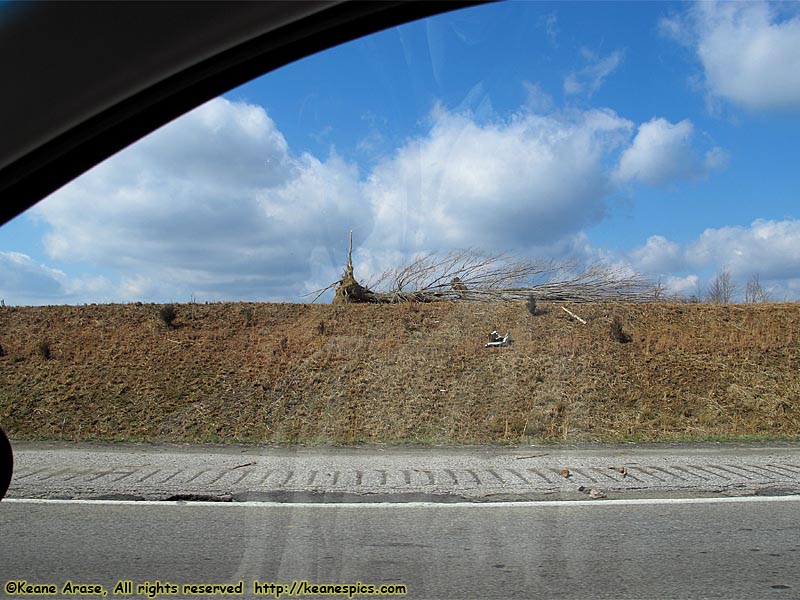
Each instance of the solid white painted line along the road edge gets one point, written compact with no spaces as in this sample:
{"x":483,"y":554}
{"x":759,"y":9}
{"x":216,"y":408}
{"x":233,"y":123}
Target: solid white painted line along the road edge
{"x":443,"y":505}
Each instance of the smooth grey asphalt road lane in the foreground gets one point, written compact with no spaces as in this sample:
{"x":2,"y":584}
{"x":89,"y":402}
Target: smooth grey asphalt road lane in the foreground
{"x":691,"y":548}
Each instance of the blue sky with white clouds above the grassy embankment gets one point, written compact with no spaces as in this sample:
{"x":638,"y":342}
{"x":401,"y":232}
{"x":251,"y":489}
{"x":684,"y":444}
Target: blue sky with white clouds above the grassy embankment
{"x":657,"y":136}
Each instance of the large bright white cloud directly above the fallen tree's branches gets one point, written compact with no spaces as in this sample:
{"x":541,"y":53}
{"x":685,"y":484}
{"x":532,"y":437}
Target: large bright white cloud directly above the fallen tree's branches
{"x":524,"y":182}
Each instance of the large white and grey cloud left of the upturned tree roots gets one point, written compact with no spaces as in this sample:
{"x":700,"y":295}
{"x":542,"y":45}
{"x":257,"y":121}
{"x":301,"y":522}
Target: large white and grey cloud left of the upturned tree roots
{"x":214,"y":204}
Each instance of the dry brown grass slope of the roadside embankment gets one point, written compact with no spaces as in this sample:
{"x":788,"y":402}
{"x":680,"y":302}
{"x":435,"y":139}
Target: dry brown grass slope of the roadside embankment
{"x":400,"y":373}
